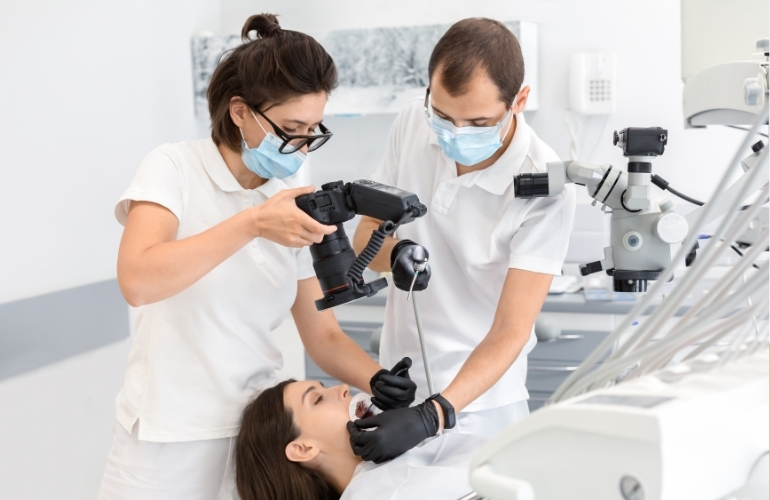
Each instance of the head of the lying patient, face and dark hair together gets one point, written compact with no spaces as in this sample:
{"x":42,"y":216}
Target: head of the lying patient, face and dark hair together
{"x":289,"y":435}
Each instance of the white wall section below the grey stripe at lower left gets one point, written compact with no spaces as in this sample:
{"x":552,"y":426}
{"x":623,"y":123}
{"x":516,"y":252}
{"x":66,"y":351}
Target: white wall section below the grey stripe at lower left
{"x":56,"y":426}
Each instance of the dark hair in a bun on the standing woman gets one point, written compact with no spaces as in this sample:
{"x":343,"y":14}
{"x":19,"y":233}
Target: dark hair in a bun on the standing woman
{"x":273,"y":68}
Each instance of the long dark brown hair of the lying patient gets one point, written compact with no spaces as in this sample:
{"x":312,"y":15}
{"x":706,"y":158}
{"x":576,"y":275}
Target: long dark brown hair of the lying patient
{"x":262,"y":471}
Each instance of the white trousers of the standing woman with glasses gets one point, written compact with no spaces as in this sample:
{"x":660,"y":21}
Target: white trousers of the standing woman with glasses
{"x":193,"y":470}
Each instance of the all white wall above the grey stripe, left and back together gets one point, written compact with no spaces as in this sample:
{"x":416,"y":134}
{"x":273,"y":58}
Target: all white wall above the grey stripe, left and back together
{"x":89,"y":88}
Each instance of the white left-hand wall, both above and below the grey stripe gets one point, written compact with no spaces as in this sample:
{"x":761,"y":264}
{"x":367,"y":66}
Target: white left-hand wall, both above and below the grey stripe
{"x":87,"y":89}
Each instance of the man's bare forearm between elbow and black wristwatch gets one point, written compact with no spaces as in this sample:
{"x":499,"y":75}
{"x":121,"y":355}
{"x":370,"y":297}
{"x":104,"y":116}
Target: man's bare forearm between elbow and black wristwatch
{"x":485,"y":366}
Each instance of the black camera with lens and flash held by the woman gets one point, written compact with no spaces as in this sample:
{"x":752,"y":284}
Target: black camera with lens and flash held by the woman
{"x":337,"y":268}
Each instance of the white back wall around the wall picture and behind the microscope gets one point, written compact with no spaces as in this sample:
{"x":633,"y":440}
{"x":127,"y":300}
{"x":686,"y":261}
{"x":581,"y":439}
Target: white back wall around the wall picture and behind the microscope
{"x":644,"y":33}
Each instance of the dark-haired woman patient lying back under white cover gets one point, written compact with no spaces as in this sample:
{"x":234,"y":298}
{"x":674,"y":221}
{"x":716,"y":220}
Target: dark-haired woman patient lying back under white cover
{"x":293,"y":444}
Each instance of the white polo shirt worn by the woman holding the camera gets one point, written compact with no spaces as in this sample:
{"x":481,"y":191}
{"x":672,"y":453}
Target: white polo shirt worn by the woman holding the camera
{"x":199,"y":357}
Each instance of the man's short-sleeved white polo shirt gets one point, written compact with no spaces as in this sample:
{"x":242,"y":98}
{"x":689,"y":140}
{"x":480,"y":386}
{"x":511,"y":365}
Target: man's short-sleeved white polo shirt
{"x":475,"y":230}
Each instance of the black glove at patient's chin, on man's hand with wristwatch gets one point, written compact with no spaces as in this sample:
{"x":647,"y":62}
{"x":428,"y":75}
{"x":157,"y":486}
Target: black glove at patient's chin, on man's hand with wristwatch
{"x":397,"y":431}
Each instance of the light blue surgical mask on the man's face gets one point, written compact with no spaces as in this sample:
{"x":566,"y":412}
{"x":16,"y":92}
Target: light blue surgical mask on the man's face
{"x":468,"y":145}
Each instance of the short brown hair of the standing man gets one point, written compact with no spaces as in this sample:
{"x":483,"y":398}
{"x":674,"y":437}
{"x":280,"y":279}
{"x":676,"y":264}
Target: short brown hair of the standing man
{"x":476,"y":43}
